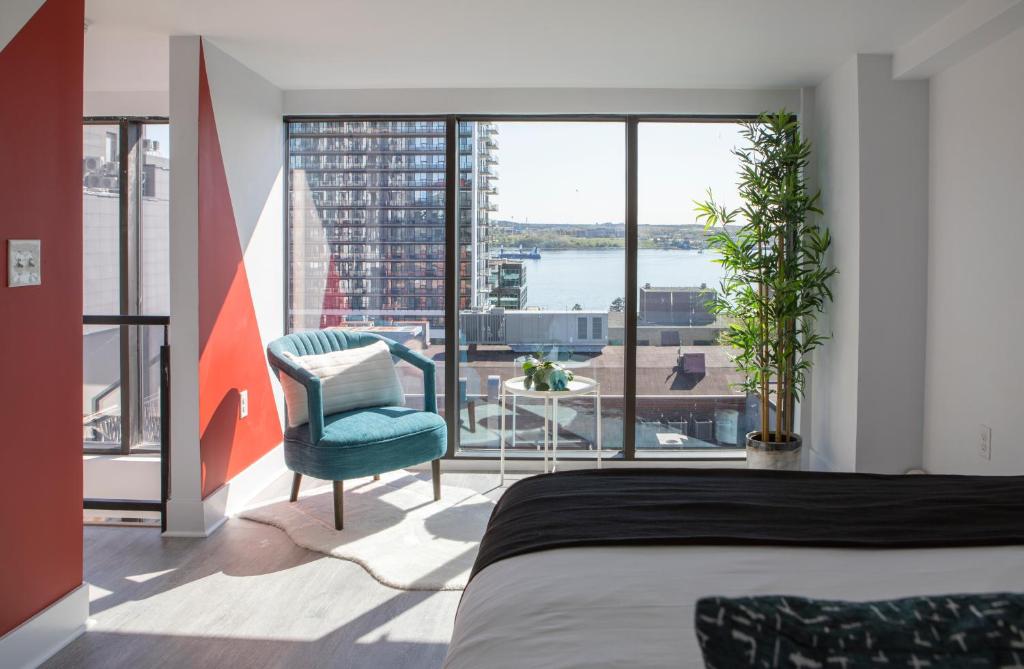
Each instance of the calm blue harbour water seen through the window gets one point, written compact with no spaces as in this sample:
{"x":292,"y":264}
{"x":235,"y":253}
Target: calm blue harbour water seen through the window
{"x":593,"y":278}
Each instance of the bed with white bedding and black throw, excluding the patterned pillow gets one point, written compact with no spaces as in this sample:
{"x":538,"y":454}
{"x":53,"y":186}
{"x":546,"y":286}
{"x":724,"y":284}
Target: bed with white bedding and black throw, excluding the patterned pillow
{"x":604,"y":569}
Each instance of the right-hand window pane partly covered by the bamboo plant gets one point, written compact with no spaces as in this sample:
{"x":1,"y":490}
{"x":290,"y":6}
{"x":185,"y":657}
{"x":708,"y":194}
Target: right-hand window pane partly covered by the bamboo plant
{"x":686,"y":382}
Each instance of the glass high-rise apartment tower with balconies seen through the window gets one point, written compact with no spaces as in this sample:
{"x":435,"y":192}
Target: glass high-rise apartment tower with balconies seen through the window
{"x":367,"y":220}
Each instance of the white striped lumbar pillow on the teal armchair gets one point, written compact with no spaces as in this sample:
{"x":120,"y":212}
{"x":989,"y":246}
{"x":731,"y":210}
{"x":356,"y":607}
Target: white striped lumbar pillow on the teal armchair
{"x":356,"y":379}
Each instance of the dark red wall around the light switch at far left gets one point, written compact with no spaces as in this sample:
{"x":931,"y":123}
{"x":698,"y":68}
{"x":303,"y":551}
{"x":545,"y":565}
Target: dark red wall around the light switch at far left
{"x":41,"y":326}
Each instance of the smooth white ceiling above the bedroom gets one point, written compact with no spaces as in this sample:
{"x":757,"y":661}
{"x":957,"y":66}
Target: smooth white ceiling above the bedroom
{"x":300,"y":45}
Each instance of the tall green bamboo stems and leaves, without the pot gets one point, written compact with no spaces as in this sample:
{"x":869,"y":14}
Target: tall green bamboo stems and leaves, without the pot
{"x":776,"y":272}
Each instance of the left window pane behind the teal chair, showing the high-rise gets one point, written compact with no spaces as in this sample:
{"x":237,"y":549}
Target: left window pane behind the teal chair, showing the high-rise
{"x":367,"y":234}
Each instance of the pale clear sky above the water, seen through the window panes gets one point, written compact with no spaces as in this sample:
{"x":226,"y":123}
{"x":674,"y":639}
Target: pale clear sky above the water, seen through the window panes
{"x":575,"y":173}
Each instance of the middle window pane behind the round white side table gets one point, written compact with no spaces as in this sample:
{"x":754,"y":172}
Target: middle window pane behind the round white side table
{"x":543,"y":203}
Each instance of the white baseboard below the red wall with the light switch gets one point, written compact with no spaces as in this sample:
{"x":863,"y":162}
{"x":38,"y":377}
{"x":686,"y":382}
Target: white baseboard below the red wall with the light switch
{"x":38,"y":639}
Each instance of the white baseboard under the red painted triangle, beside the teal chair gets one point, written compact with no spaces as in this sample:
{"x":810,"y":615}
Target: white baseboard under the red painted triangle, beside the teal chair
{"x":203,"y":518}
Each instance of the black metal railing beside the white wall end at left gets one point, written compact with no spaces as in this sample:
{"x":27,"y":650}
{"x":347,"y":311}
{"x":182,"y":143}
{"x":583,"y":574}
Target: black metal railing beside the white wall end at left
{"x":164,"y":422}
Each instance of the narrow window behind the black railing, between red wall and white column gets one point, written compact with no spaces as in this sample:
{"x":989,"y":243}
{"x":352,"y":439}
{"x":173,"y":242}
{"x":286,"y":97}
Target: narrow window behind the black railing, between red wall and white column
{"x":125,"y":204}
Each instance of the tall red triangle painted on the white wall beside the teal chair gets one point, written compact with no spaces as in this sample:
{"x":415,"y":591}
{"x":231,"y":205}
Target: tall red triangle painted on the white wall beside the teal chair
{"x":232,"y":356}
